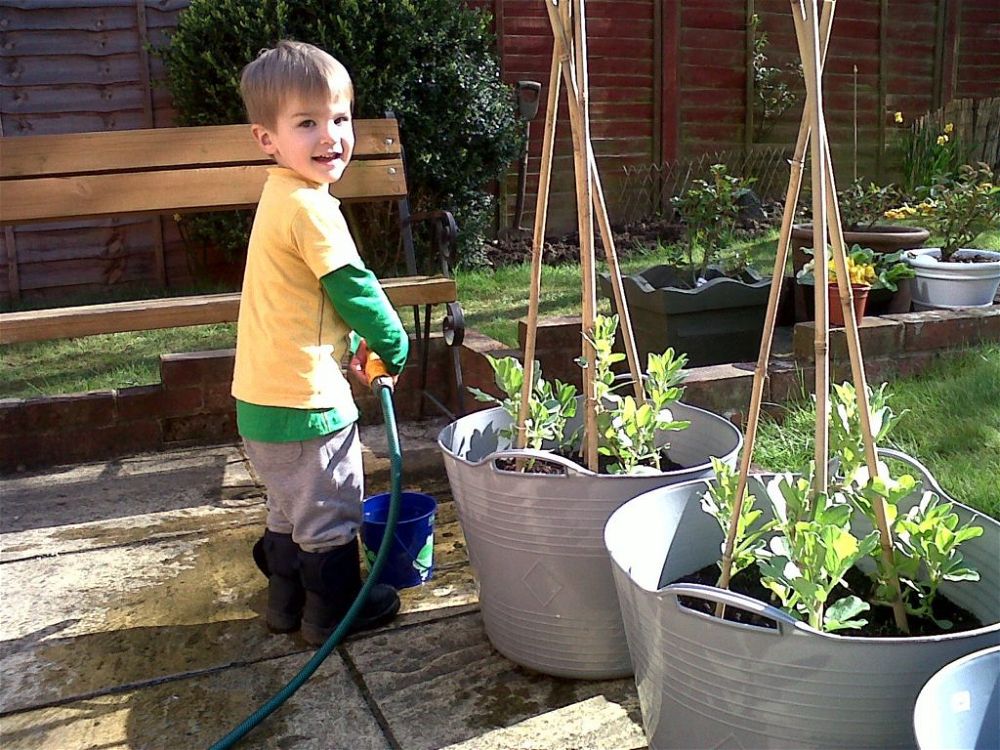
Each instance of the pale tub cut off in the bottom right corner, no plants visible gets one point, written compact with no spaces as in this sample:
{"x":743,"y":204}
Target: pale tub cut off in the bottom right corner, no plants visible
{"x":959,"y":707}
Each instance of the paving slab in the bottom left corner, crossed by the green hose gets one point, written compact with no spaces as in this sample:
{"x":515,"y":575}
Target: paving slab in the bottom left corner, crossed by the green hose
{"x":329,"y":711}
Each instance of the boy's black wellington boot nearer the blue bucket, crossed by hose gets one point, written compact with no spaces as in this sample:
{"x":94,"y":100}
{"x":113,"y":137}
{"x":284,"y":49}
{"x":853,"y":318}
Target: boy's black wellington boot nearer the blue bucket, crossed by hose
{"x":332,"y":580}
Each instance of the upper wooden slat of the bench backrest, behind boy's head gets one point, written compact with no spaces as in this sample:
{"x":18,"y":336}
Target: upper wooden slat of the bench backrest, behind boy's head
{"x":130,"y":150}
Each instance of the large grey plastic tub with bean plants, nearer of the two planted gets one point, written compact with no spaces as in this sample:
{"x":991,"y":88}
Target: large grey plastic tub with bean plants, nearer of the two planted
{"x":708,"y":683}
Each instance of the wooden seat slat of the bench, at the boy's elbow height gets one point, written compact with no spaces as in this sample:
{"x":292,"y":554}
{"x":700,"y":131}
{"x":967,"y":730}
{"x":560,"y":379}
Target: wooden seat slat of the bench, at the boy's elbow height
{"x":144,"y":315}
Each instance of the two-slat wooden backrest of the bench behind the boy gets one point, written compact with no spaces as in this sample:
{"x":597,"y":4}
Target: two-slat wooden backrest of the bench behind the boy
{"x":50,"y":177}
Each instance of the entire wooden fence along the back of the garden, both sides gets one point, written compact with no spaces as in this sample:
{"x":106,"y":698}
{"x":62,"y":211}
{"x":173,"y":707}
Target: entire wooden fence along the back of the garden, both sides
{"x":668,"y":79}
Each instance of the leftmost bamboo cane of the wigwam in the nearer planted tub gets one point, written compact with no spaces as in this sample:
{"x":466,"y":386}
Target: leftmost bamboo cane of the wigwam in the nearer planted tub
{"x":770,"y":318}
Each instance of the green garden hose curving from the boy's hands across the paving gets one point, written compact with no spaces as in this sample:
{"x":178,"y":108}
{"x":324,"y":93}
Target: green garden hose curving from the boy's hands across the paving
{"x":396,"y":466}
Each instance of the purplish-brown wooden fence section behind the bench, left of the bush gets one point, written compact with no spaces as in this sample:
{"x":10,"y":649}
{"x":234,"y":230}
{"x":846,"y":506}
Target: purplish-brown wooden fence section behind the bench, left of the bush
{"x":74,"y":66}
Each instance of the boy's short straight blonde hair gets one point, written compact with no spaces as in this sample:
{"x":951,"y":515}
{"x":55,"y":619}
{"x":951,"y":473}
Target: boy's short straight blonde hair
{"x":288,"y":70}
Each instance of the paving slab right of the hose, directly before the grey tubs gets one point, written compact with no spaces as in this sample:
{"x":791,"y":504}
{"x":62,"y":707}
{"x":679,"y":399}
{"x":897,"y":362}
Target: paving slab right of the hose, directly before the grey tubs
{"x":443,"y":683}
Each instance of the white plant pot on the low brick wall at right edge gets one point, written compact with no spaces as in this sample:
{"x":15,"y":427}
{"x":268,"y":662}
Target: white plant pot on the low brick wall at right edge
{"x":952,"y":285}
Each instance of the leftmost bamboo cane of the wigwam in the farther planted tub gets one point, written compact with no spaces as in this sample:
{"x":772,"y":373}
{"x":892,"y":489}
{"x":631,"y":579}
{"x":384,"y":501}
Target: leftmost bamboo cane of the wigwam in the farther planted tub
{"x":538,"y":240}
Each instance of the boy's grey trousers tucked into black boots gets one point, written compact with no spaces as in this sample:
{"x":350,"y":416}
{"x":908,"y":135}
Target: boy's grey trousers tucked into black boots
{"x":314,"y":487}
